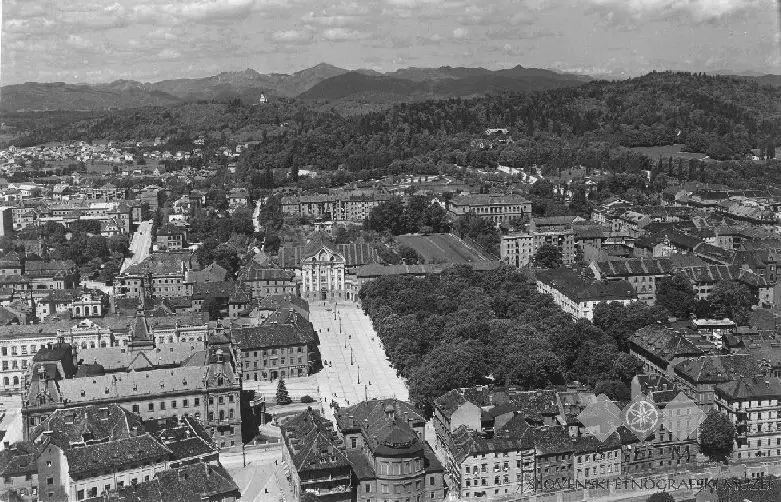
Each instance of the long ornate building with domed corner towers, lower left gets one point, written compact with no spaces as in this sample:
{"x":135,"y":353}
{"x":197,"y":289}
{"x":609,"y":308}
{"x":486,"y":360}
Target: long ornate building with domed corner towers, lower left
{"x":207,"y":387}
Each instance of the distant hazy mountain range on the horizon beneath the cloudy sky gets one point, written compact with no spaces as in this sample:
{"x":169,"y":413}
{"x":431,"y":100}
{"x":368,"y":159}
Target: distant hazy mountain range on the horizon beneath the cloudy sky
{"x":321,"y":82}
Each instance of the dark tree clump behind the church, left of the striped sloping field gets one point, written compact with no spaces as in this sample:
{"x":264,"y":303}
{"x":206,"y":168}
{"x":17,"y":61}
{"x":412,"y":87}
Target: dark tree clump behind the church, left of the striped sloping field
{"x":418,"y":215}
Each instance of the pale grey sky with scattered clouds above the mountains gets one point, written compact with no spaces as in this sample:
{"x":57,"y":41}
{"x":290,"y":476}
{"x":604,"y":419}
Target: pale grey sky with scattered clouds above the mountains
{"x":92,"y":41}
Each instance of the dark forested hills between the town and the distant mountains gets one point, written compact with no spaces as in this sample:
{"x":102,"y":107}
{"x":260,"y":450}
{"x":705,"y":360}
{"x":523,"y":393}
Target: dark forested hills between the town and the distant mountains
{"x":721,"y":116}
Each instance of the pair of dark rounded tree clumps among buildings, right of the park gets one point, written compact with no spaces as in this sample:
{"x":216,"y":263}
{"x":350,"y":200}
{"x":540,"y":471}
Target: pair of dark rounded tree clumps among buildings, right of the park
{"x":729,"y":299}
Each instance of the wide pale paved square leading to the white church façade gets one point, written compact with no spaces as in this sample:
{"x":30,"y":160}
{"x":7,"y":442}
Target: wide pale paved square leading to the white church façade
{"x":357,"y":368}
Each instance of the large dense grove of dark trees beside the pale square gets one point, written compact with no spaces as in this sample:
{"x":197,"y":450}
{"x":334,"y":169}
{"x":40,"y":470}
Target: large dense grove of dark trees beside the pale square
{"x":463,"y":328}
